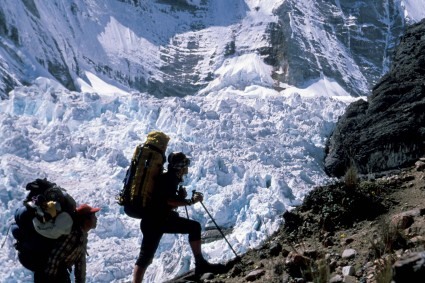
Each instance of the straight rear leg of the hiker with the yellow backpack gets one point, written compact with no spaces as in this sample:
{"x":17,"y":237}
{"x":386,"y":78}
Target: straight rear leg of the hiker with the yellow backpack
{"x":151,"y":237}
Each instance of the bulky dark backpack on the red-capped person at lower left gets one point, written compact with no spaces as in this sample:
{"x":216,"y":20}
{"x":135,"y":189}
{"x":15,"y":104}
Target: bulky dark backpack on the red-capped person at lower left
{"x":44,"y":199}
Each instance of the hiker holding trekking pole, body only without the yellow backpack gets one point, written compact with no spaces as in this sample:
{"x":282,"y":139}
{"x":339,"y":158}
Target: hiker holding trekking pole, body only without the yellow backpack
{"x":163,"y":218}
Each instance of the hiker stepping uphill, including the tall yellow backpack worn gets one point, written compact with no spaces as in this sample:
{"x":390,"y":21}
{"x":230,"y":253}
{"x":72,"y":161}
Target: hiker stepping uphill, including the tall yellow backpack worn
{"x":156,"y":205}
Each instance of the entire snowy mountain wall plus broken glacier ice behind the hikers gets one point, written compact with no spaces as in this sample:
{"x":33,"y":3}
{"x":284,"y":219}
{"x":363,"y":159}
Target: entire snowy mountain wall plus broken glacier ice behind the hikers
{"x":249,"y":89}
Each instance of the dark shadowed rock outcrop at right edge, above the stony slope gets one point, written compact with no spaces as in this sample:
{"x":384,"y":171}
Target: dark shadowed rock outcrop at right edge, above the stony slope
{"x":387,"y":131}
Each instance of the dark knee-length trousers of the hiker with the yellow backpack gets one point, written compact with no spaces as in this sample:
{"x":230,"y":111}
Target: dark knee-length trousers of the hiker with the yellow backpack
{"x":153,"y":229}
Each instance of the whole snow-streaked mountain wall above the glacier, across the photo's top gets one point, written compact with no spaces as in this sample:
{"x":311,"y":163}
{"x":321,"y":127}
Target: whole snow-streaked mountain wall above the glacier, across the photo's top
{"x":173,"y":48}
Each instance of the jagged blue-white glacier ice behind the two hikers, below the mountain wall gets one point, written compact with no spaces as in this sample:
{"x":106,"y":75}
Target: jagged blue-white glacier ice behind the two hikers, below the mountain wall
{"x":255,"y":153}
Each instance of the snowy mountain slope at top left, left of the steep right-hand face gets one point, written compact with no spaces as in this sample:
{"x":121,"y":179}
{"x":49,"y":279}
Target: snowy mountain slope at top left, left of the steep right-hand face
{"x":163,"y":47}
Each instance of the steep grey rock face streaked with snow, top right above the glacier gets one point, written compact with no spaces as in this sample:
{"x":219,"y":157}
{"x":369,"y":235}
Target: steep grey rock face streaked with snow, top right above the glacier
{"x":334,"y":40}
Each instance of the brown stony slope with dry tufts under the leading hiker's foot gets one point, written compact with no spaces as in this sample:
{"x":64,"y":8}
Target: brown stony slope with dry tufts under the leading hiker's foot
{"x":363,"y":231}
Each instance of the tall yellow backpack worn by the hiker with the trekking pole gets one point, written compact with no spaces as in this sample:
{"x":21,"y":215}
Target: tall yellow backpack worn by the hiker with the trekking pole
{"x":145,"y":167}
